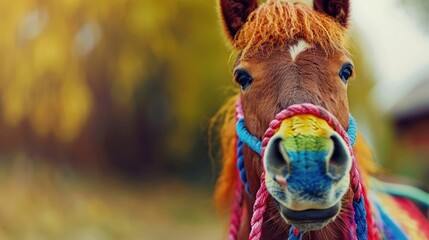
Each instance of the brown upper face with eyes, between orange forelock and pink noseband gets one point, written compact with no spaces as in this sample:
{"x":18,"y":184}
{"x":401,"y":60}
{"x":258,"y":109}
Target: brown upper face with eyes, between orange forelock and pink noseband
{"x":293,"y":75}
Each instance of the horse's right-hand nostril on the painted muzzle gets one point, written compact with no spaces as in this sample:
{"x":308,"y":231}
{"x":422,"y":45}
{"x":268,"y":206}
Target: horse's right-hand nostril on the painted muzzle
{"x":339,"y":159}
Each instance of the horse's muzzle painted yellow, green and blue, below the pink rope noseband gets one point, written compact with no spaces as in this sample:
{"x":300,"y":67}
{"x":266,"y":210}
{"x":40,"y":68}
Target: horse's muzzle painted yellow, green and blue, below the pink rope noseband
{"x":307,"y":165}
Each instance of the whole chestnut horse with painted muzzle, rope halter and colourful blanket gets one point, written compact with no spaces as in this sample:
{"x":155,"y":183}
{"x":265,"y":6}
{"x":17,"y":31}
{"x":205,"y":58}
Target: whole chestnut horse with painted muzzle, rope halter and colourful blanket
{"x":293,"y":165}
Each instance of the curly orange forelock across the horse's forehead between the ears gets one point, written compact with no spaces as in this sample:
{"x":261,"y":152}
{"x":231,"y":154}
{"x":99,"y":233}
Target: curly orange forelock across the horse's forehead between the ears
{"x":276,"y":23}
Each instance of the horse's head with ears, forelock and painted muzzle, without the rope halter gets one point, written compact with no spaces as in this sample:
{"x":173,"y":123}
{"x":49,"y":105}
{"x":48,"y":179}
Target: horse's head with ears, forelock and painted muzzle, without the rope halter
{"x":291,"y":54}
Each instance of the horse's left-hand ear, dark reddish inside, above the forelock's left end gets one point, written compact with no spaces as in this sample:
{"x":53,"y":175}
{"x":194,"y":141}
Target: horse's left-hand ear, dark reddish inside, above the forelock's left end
{"x":234,"y":14}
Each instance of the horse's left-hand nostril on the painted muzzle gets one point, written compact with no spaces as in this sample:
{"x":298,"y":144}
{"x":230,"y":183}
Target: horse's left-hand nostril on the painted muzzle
{"x":276,"y":160}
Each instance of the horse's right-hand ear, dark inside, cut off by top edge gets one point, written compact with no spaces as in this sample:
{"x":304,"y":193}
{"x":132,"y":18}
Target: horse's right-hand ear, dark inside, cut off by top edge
{"x":338,"y":9}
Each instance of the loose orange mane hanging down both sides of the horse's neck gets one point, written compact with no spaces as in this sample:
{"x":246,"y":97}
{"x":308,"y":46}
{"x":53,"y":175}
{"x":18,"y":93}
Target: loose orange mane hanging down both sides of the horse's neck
{"x":225,"y":185}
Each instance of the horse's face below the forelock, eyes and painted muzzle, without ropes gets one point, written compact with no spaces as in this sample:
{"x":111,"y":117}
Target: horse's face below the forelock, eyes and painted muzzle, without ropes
{"x":307,"y":162}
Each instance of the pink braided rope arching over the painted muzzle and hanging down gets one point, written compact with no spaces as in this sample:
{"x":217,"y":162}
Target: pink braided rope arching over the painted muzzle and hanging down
{"x":259,"y":206}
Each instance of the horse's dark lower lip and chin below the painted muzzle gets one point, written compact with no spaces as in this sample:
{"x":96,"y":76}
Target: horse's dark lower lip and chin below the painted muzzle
{"x":311,"y":219}
